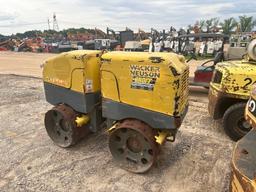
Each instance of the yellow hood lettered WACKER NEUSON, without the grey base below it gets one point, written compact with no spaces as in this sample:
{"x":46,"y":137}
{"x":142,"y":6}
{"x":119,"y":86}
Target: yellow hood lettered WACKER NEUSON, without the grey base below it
{"x":139,"y":80}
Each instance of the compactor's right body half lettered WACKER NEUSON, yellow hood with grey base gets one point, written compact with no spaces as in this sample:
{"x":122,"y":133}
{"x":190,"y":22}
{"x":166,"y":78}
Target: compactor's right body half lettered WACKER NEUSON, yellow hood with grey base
{"x":154,"y":83}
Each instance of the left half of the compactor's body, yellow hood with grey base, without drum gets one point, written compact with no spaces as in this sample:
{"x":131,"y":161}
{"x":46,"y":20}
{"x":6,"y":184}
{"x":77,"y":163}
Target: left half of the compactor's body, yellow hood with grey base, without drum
{"x":73,"y":79}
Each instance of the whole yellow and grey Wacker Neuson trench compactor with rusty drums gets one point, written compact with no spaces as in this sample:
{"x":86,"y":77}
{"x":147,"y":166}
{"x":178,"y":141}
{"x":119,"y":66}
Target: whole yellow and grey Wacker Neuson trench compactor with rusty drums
{"x":141,"y":97}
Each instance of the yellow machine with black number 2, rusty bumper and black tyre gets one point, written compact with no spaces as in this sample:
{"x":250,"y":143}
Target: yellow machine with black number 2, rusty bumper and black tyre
{"x":229,"y":91}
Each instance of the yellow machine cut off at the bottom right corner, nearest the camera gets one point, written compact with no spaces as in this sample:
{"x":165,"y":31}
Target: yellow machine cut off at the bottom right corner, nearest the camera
{"x":243,"y":177}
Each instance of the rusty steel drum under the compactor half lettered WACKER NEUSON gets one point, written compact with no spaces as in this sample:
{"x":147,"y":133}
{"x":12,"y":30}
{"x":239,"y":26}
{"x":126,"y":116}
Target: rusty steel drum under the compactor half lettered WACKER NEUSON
{"x":132,"y":144}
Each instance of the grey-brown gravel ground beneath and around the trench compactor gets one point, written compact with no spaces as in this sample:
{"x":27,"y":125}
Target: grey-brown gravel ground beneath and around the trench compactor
{"x":199,"y":159}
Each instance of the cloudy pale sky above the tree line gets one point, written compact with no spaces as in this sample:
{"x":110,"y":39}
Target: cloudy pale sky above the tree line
{"x":21,"y":15}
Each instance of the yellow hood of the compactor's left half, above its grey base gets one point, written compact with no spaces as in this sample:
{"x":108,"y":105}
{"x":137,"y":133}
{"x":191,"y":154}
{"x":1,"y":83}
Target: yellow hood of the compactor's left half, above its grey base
{"x":75,"y":70}
